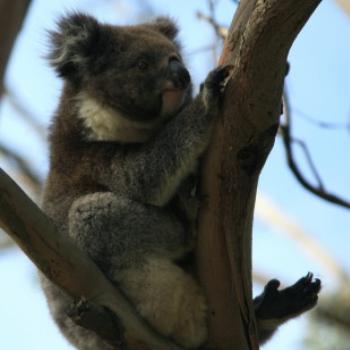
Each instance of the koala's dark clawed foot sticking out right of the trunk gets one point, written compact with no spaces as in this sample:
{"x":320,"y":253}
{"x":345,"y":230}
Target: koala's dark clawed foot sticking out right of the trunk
{"x":274,"y":307}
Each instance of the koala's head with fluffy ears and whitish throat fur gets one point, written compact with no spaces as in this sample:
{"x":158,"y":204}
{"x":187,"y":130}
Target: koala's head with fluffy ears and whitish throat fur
{"x":128,"y":78}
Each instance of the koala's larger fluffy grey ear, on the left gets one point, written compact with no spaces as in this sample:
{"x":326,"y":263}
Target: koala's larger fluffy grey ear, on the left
{"x":76,"y":41}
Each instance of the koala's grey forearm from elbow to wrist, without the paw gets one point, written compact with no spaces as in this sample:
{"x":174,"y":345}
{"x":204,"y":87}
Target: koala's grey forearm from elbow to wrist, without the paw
{"x":158,"y":169}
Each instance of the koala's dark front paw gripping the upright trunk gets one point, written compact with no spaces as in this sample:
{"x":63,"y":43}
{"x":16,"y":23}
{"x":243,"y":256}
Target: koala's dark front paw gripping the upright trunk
{"x":214,"y":85}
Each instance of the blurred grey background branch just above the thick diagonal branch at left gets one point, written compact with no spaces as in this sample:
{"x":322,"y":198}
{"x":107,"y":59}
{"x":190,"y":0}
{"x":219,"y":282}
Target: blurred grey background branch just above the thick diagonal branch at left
{"x":29,"y":176}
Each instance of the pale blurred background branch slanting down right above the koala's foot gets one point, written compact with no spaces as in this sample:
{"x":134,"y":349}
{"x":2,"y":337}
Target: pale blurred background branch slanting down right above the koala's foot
{"x":270,"y":213}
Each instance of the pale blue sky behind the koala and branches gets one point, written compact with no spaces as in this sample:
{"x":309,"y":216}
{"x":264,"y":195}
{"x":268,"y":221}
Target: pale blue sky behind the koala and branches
{"x":318,"y":85}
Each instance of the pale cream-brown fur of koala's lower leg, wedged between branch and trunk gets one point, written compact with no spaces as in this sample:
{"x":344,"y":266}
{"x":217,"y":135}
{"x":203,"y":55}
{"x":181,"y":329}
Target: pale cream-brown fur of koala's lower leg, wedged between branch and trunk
{"x":169,"y":298}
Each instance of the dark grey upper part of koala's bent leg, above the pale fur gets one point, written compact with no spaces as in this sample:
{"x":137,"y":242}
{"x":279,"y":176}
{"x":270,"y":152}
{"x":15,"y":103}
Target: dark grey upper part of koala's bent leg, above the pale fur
{"x":117,"y":232}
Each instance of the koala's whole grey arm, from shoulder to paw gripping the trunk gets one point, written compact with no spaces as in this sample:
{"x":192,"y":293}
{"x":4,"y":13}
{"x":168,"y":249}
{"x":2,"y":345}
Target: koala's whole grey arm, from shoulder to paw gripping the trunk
{"x":152,"y":172}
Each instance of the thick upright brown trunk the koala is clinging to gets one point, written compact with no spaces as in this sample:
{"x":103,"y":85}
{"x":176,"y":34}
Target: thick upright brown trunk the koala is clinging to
{"x":257,"y":45}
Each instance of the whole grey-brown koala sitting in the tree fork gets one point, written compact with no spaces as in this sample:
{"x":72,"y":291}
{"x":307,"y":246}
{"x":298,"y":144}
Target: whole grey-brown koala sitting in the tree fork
{"x":125,"y":144}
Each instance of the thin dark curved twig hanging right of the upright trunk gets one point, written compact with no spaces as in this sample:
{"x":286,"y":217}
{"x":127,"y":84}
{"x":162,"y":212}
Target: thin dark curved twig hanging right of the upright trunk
{"x":288,"y":141}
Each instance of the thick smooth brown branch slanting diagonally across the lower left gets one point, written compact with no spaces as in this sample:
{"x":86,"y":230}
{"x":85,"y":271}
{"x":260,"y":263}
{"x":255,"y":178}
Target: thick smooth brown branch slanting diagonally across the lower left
{"x":70,"y":269}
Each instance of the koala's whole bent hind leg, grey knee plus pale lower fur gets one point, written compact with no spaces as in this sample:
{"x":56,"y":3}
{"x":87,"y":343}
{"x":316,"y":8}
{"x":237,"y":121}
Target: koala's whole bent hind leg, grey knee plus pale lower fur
{"x":135,"y":245}
